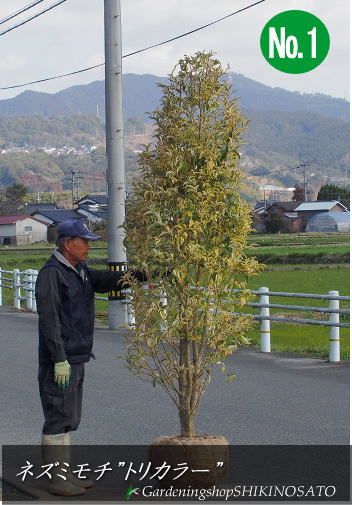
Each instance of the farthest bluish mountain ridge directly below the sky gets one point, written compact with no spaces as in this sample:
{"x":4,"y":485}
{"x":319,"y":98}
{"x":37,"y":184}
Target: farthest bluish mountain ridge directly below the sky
{"x":141,"y":95}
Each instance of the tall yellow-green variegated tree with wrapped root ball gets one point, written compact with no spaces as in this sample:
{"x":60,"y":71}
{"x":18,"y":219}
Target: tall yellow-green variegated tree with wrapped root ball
{"x":187,"y":226}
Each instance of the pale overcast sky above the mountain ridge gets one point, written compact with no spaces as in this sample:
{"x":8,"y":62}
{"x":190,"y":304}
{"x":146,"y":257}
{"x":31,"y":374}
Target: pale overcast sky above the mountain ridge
{"x":71,"y":37}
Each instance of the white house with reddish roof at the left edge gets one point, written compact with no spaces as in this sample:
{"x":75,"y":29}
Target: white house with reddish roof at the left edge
{"x":21,"y":230}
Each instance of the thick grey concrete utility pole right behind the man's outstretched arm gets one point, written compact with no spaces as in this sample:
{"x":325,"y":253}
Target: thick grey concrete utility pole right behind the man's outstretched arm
{"x":116,"y":190}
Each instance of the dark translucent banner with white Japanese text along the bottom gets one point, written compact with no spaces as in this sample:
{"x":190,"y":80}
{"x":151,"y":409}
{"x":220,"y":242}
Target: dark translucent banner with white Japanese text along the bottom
{"x":180,"y":472}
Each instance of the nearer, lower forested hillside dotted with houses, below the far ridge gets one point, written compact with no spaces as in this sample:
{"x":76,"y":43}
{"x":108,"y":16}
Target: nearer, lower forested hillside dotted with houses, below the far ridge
{"x":275,"y":139}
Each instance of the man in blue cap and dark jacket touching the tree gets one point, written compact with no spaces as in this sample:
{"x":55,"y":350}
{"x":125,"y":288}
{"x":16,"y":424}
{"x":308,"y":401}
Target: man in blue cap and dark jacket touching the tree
{"x":65,"y":301}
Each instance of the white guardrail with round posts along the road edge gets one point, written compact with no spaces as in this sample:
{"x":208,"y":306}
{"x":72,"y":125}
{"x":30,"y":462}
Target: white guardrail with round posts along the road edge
{"x":27,"y":279}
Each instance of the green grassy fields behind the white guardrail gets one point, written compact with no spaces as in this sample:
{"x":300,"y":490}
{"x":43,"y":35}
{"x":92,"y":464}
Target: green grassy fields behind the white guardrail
{"x":305,"y":339}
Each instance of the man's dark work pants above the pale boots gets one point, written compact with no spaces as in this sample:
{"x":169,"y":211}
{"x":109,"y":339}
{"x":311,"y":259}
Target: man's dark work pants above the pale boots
{"x":62,"y":408}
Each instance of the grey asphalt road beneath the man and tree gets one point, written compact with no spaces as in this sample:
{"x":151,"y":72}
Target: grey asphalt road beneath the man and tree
{"x":275,"y":399}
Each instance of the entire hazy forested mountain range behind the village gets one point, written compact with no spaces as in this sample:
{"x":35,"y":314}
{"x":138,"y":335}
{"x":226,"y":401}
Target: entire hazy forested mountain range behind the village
{"x":285,"y":129}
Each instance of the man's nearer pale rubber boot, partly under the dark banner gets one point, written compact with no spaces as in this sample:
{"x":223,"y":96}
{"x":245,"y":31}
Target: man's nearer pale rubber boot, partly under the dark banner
{"x":54,"y":450}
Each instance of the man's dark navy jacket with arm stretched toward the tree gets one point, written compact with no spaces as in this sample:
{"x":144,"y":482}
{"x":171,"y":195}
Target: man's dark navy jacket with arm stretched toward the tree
{"x":65,"y":304}
